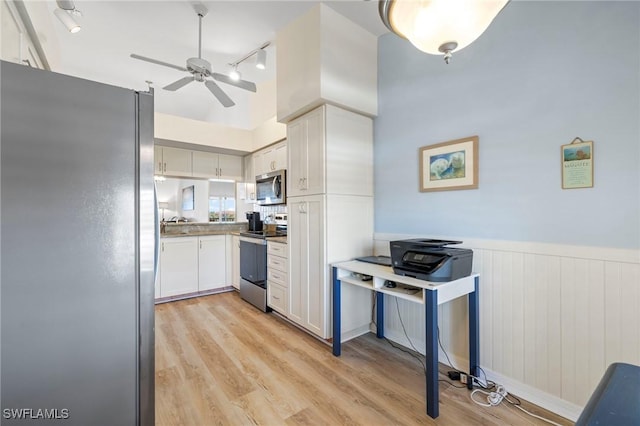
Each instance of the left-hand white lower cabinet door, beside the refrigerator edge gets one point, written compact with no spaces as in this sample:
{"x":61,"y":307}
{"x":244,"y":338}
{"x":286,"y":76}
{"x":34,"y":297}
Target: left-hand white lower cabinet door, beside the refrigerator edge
{"x":178,"y":266}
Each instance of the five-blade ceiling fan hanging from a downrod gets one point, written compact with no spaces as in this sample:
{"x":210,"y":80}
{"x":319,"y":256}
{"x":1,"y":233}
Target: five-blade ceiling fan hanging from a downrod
{"x":200,"y":69}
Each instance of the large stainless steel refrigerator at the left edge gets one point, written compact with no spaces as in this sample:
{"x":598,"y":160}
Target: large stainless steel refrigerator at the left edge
{"x":78,"y":251}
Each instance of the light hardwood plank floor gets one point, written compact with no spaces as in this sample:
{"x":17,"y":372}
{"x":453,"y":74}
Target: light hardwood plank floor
{"x":220,"y":361}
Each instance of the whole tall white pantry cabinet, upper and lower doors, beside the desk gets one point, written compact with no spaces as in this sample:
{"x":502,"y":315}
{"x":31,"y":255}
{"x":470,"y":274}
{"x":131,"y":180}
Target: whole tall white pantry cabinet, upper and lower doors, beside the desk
{"x":330,"y":207}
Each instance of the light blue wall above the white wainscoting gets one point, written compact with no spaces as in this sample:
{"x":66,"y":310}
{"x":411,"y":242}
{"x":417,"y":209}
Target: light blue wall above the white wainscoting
{"x":543,"y":73}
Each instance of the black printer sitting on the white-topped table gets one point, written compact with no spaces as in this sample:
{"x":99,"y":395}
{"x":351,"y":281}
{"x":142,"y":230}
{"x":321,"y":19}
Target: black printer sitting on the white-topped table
{"x":430,"y":260}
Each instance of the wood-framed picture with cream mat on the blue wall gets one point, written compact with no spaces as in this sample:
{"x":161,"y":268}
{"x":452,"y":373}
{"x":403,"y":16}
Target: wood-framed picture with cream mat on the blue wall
{"x":451,"y":165}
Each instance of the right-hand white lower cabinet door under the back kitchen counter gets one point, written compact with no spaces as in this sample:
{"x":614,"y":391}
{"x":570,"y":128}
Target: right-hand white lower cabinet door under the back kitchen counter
{"x":212,"y":272}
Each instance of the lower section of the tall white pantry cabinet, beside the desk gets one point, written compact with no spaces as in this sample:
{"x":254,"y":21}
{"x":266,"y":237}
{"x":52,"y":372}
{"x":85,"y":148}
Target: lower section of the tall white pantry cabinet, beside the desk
{"x":323,"y":229}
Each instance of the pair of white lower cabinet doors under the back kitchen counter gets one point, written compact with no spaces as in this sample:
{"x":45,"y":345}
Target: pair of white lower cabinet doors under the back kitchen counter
{"x":191,"y":264}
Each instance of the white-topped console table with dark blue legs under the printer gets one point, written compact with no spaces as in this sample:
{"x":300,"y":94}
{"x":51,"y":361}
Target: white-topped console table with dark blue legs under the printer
{"x":430,"y":294}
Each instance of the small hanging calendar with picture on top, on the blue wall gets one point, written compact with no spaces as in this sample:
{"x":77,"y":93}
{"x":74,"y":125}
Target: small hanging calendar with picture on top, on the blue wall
{"x":577,"y":164}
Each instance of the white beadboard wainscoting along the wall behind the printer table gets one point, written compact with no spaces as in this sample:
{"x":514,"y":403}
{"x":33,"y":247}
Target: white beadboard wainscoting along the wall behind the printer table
{"x":552,"y":317}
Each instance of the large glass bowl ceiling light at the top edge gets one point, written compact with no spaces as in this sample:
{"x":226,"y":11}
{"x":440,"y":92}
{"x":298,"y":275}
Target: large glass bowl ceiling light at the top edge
{"x":439,"y":26}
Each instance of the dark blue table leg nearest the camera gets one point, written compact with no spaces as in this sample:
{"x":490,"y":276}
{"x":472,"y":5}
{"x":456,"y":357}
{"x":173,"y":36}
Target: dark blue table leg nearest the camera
{"x":431,"y":327}
